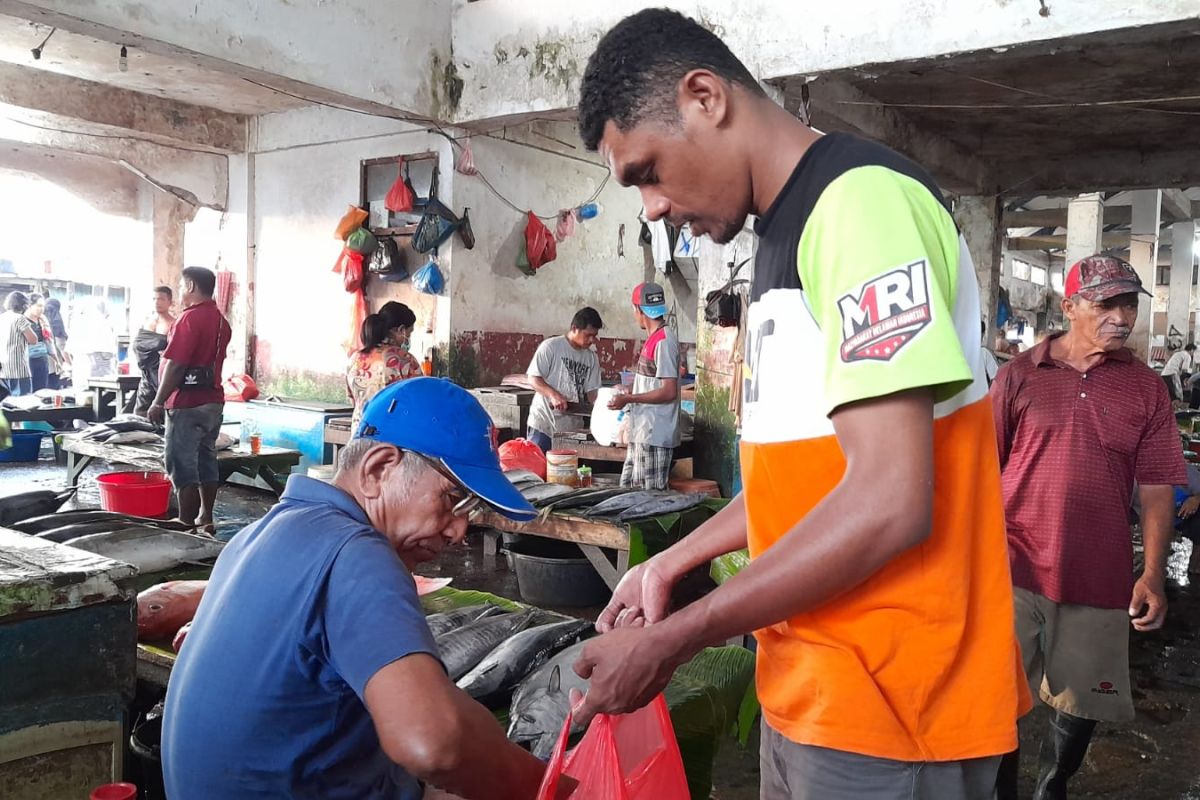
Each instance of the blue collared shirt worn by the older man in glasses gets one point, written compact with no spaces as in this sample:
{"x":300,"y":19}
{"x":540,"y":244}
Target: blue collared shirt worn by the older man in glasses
{"x":266,"y":700}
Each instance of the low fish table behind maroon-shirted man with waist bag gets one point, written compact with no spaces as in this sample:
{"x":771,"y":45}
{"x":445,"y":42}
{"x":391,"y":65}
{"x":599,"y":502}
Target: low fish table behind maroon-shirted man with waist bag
{"x":267,"y":465}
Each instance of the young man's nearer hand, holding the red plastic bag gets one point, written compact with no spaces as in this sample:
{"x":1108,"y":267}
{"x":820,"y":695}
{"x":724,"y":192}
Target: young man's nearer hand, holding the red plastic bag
{"x":627,"y":669}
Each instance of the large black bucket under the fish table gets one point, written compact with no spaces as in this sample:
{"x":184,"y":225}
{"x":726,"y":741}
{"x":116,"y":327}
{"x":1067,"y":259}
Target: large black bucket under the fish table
{"x":556,"y":574}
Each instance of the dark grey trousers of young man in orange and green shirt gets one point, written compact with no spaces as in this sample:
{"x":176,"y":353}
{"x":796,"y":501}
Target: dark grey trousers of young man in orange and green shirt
{"x":793,"y":772}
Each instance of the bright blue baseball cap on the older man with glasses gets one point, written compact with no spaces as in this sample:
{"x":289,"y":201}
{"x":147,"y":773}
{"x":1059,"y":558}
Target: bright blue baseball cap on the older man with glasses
{"x":441,"y":420}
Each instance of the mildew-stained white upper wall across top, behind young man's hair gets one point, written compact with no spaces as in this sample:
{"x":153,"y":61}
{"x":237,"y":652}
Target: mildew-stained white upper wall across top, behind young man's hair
{"x":529,"y":56}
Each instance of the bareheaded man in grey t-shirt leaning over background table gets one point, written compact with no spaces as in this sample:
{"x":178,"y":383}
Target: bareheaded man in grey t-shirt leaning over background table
{"x":565,"y":371}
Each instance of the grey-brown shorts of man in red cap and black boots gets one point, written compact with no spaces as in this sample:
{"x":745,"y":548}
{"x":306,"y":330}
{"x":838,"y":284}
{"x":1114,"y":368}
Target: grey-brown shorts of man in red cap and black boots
{"x":1077,"y":658}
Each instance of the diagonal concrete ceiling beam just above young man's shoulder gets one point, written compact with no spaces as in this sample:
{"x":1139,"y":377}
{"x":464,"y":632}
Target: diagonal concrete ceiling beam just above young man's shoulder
{"x":835,"y":105}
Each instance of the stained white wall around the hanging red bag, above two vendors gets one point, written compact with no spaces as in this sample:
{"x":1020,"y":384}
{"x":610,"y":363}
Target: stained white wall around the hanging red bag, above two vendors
{"x":491,"y":294}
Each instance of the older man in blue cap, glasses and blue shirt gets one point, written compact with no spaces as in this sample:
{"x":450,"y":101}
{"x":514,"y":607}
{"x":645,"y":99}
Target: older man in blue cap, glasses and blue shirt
{"x":310,"y":671}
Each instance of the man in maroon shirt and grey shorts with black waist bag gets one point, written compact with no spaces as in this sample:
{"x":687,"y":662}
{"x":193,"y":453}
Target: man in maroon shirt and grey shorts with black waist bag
{"x":191,"y":399}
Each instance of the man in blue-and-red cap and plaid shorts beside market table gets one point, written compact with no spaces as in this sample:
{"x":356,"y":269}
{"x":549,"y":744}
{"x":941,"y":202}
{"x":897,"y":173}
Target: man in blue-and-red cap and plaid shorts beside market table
{"x":653,"y":406}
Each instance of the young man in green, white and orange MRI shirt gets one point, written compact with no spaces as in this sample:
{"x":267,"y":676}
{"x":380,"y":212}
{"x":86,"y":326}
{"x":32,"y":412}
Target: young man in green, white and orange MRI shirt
{"x":889,"y":665}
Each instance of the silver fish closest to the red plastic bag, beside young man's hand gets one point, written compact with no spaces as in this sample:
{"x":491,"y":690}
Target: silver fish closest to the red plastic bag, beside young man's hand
{"x":543,"y":701}
